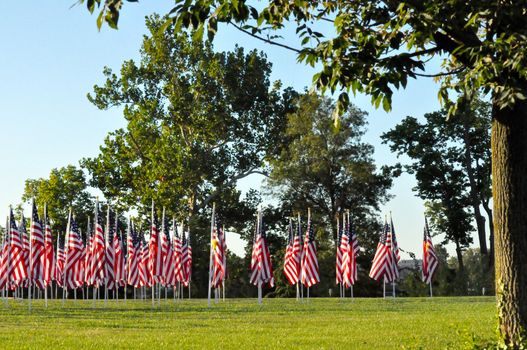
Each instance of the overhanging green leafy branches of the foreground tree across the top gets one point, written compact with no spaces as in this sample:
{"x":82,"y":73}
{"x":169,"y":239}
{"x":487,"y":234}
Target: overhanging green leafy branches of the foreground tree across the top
{"x":374,"y":47}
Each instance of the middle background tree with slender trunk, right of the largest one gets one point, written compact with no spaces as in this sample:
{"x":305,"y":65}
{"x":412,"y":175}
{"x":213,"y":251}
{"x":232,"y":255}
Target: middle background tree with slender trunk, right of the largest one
{"x":329,"y":169}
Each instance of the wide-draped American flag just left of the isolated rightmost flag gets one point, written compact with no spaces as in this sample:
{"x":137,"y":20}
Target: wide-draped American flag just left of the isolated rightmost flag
{"x":383,"y":261}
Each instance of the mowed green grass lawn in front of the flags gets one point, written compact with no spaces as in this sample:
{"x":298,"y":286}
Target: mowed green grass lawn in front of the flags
{"x":320,"y":323}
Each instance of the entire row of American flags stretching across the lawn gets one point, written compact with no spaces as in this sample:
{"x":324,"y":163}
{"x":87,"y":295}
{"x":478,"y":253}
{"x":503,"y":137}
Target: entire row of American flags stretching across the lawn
{"x":104,"y":260}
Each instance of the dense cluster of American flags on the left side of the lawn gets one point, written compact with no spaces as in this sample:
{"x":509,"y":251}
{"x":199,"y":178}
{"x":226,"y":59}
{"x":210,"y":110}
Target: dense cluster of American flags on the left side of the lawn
{"x":103,"y":260}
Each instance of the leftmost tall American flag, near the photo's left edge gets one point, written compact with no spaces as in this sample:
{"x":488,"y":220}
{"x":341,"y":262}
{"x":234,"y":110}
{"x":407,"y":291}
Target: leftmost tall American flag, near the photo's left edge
{"x":17,"y":269}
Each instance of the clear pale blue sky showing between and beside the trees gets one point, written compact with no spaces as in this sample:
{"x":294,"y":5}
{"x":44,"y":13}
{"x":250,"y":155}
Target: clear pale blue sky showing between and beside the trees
{"x":52,"y":55}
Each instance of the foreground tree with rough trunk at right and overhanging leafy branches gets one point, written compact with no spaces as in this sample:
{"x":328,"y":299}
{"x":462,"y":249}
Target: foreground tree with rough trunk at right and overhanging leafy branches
{"x":376,"y":47}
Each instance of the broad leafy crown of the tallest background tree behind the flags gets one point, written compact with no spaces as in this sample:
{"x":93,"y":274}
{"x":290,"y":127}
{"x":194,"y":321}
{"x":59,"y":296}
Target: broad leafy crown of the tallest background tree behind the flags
{"x":197,"y":122}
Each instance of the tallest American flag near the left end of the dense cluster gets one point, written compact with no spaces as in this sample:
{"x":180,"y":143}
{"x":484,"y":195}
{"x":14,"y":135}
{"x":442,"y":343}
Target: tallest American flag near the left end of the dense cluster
{"x":38,"y":250}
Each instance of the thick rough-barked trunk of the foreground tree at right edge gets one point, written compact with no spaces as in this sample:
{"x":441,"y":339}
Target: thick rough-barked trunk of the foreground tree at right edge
{"x":509,"y":176}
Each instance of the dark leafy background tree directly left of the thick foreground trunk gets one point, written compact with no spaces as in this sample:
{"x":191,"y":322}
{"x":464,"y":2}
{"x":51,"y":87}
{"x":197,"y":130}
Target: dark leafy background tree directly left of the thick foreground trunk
{"x":451,"y":163}
